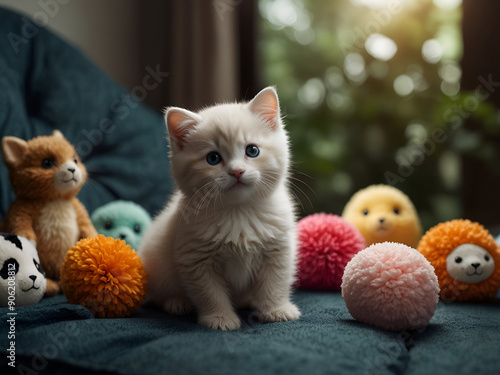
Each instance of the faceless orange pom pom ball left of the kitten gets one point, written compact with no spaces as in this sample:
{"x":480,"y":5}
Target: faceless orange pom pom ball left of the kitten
{"x":104,"y":275}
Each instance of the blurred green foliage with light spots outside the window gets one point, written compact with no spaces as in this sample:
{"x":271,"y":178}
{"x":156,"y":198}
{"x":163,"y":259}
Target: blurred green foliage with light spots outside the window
{"x":358,"y":118}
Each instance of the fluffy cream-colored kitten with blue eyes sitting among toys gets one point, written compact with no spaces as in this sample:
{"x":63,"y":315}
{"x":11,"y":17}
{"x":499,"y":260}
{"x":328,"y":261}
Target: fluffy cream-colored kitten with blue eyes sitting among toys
{"x":227,"y":237}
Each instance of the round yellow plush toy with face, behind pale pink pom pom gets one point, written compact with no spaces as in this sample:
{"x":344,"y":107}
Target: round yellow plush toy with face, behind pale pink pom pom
{"x":384,"y":213}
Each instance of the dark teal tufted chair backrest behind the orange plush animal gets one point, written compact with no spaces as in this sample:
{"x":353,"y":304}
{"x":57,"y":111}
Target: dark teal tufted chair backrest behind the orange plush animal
{"x":46,"y":84}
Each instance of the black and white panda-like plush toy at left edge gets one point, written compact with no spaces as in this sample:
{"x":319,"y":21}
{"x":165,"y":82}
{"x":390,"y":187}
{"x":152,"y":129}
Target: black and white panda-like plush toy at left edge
{"x":22,"y":280}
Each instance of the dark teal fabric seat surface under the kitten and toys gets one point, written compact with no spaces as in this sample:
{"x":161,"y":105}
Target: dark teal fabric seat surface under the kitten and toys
{"x":460,"y":339}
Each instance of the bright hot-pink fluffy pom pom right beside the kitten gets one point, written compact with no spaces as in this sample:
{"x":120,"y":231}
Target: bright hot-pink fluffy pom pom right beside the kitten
{"x":326,"y":243}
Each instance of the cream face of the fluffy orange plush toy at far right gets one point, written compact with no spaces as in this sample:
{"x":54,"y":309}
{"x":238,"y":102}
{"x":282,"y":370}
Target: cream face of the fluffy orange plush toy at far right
{"x":470,"y":264}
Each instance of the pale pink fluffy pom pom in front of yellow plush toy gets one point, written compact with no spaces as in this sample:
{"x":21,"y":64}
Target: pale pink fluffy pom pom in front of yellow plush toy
{"x":391,"y":286}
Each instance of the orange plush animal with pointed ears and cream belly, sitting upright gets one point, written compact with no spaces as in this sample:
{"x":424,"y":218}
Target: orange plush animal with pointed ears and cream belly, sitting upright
{"x":46,"y":175}
